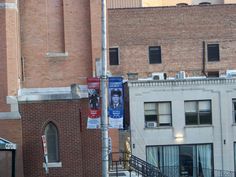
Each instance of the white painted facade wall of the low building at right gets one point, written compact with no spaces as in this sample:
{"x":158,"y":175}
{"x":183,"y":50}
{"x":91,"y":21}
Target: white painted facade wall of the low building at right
{"x":221,"y":133}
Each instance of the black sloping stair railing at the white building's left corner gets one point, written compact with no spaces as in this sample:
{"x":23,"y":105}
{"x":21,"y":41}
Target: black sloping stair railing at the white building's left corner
{"x":125,"y":161}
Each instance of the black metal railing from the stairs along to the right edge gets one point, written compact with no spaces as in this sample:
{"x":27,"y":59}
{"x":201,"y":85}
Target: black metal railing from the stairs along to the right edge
{"x":124,"y":161}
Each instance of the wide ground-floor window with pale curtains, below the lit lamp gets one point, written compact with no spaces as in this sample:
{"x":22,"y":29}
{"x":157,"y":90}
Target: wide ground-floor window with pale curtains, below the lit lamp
{"x":182,"y":160}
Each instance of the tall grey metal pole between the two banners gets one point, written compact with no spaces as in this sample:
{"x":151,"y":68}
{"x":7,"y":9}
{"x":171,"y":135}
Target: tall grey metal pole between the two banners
{"x":104,"y":121}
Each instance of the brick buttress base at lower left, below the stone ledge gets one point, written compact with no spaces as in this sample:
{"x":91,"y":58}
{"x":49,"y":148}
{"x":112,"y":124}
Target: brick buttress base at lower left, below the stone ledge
{"x":11,"y":130}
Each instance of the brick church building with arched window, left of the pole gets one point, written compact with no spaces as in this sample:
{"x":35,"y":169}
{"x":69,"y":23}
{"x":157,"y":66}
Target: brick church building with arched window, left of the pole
{"x":47,"y":47}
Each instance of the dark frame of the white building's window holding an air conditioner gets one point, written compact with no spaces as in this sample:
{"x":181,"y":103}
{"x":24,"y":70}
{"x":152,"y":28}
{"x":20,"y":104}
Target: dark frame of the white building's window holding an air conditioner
{"x":157,"y":115}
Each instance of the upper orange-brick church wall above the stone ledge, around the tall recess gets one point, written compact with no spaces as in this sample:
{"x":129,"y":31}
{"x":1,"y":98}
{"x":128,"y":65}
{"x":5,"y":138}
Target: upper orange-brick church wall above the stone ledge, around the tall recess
{"x":41,"y":71}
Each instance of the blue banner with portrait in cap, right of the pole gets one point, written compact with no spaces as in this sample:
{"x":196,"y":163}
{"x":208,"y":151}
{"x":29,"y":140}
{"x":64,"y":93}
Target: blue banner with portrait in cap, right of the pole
{"x":116,"y":104}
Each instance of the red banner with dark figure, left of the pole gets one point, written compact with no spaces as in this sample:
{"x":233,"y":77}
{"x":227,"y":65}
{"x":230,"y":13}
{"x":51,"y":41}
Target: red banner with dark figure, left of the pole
{"x":94,"y":111}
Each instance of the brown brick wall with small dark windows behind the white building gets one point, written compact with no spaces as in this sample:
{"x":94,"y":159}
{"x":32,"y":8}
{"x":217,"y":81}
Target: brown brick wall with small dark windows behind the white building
{"x":179,"y":31}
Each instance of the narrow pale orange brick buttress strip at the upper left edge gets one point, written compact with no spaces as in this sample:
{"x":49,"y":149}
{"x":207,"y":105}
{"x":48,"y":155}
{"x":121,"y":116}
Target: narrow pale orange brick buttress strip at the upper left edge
{"x":9,"y":55}
